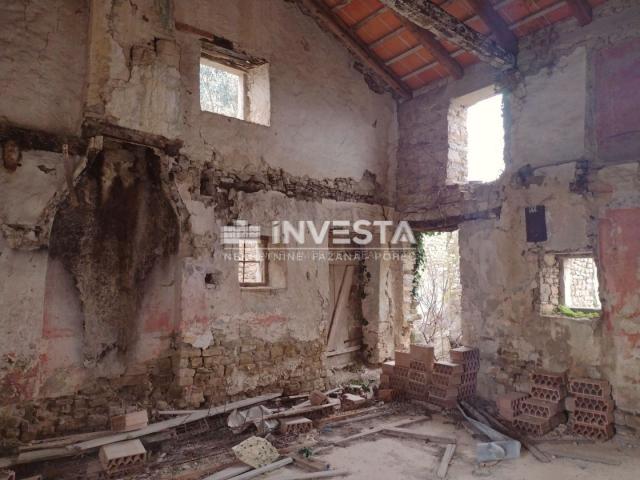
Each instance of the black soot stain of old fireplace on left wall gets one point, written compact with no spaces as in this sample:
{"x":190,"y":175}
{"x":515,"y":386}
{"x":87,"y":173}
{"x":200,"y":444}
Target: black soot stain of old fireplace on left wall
{"x":109,"y":235}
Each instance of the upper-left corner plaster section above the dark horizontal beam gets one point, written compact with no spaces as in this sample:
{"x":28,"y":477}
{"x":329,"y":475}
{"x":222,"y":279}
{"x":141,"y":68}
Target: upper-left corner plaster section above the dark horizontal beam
{"x":42,"y":76}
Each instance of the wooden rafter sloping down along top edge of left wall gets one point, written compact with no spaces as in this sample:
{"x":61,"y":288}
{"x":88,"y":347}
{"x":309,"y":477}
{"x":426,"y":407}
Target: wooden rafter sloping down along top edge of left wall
{"x":322,"y":14}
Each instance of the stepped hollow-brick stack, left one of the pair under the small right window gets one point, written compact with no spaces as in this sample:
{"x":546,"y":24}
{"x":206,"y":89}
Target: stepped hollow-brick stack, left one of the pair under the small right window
{"x":543,"y":411}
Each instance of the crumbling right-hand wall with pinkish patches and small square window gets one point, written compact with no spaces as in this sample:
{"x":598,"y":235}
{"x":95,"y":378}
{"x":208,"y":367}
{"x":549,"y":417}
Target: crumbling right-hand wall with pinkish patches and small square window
{"x":558,"y":108}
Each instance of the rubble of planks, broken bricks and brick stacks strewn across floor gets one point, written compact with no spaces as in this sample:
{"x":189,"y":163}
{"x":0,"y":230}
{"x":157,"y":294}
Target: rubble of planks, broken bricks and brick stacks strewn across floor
{"x":251,"y":437}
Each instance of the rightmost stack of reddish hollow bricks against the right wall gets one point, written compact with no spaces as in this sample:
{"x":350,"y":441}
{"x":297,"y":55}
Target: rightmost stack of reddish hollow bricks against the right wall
{"x":591,"y":408}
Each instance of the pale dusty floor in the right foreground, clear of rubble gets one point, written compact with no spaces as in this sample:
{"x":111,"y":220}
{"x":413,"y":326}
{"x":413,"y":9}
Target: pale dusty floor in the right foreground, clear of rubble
{"x":383,"y":457}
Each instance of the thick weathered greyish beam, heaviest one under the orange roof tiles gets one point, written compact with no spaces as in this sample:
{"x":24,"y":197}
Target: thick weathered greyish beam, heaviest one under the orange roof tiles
{"x":444,"y":25}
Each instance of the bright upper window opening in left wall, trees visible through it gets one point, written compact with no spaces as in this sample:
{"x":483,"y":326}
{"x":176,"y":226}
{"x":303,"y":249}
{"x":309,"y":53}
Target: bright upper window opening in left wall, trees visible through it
{"x":222,"y":89}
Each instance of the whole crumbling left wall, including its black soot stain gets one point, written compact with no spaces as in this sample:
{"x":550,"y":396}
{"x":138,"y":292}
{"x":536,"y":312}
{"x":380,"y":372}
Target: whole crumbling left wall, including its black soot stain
{"x":140,"y":201}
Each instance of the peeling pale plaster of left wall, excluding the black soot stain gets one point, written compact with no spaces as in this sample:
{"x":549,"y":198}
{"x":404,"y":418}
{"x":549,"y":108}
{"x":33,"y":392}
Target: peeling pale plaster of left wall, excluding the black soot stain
{"x":329,"y":153}
